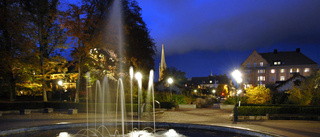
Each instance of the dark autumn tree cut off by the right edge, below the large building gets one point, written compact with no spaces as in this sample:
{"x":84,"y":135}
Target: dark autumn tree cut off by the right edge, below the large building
{"x":308,"y":92}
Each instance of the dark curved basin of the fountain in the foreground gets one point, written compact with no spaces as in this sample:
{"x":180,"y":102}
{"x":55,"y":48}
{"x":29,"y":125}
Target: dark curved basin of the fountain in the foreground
{"x":185,"y":129}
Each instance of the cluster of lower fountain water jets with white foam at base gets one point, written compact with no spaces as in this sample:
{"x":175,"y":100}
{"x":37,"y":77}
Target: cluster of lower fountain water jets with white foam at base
{"x":99,"y":95}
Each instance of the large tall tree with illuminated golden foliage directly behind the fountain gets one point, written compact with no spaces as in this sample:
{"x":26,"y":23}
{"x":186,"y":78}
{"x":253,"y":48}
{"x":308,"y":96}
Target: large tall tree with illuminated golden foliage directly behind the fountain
{"x":94,"y":33}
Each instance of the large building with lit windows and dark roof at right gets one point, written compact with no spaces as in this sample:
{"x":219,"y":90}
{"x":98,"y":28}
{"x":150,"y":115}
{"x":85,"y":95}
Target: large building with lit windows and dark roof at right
{"x":268,"y":68}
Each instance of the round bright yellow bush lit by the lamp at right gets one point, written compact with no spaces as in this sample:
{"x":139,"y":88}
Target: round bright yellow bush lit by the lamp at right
{"x":258,"y":95}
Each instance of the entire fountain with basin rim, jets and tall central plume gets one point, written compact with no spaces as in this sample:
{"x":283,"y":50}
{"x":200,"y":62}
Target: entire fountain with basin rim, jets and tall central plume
{"x":102,"y":104}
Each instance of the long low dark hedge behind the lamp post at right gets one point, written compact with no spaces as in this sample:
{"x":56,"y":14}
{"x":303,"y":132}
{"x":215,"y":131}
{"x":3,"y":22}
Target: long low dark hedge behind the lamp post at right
{"x":263,"y":110}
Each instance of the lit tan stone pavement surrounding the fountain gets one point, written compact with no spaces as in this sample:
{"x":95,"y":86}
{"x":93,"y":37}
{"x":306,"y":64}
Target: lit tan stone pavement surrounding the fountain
{"x":207,"y":116}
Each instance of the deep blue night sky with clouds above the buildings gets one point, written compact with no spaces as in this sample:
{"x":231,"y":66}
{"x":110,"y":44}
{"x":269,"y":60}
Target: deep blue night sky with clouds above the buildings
{"x":201,"y":36}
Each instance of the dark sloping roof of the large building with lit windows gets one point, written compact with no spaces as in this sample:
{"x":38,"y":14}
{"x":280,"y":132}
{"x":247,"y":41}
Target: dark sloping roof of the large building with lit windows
{"x":287,"y":58}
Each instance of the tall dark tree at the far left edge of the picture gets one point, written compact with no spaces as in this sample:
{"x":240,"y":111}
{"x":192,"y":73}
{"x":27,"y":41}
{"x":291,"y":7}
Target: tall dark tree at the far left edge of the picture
{"x":16,"y":45}
